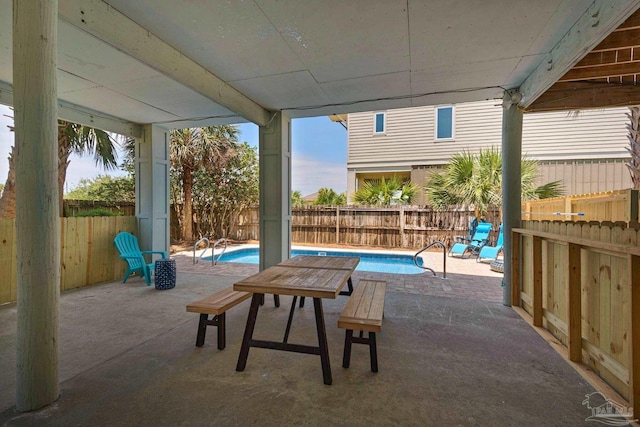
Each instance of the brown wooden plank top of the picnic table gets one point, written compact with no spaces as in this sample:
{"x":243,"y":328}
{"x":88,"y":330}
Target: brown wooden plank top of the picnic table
{"x":300,"y":281}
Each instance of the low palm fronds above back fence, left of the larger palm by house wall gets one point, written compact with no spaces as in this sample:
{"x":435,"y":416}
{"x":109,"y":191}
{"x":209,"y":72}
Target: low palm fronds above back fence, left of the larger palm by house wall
{"x":386,"y":191}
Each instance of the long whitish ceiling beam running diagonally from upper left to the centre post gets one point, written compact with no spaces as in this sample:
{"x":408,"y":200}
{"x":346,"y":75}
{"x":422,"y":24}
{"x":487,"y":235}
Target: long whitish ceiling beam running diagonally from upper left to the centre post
{"x":107,"y":24}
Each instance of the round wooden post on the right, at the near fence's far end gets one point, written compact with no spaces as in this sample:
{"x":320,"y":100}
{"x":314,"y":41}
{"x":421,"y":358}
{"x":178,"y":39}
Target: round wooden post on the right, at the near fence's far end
{"x":511,"y":180}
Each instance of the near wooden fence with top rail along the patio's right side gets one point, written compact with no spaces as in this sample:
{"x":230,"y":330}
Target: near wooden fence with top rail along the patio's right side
{"x":581,"y":282}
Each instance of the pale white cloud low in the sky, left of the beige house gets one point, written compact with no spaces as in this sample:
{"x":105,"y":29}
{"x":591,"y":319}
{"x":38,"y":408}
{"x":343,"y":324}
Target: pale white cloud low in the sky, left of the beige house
{"x":308,"y":175}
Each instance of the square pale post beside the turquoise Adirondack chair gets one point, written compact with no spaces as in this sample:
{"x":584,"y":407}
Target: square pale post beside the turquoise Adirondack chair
{"x":152,"y":188}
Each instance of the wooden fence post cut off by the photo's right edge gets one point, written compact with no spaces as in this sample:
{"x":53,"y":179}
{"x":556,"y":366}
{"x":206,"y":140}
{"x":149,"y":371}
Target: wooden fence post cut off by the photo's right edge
{"x":634,"y":374}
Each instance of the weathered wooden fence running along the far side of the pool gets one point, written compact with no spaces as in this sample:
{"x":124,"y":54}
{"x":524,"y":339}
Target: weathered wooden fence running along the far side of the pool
{"x":398,"y":227}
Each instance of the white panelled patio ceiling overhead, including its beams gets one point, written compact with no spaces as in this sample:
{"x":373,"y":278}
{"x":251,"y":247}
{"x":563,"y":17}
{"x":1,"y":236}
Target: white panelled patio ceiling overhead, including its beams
{"x":188,"y":63}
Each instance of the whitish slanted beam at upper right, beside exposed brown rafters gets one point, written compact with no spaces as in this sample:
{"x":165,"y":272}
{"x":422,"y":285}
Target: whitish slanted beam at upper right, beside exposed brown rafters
{"x":602,"y":17}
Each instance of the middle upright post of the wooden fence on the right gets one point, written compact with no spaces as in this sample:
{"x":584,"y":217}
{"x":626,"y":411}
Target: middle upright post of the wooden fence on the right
{"x":574,"y":312}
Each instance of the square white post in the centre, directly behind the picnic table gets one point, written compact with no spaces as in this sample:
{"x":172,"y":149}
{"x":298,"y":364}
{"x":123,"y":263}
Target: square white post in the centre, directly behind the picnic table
{"x":275,"y":190}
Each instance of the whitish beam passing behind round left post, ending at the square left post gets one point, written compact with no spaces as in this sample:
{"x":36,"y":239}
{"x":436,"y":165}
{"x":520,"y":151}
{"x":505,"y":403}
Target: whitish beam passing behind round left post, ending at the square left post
{"x":84,"y":116}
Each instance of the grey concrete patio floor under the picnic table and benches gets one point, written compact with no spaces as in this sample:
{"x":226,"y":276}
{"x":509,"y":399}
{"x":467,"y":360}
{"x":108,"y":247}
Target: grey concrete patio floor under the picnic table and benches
{"x":449,"y":354}
